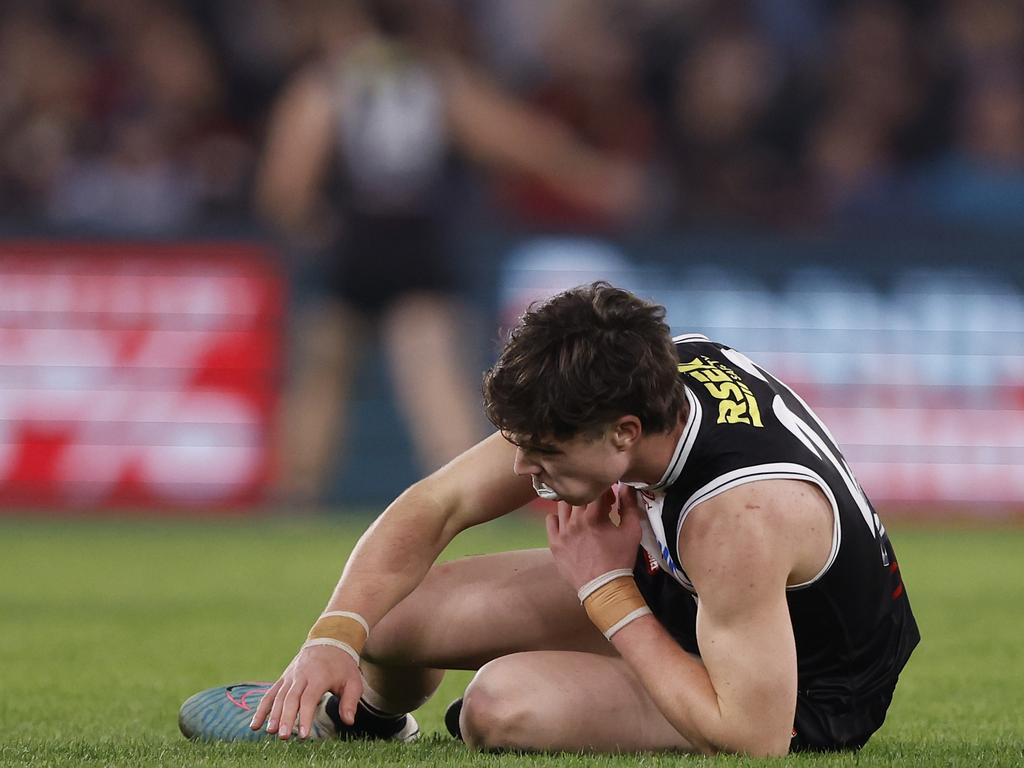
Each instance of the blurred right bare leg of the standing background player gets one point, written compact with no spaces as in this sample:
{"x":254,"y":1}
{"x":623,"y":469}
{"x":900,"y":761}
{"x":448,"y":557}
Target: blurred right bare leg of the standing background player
{"x":432,"y":377}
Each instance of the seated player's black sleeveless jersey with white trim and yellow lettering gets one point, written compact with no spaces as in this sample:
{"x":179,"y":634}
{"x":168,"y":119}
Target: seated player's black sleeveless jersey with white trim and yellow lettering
{"x":852,"y":621}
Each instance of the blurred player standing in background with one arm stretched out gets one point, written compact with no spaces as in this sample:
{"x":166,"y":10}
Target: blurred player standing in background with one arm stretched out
{"x":389,"y":108}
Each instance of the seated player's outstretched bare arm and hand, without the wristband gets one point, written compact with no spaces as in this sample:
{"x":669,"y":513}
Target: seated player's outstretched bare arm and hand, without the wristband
{"x":388,"y":564}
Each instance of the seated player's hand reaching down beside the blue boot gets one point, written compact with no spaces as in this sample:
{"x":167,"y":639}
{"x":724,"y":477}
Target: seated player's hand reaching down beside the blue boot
{"x":297,"y":694}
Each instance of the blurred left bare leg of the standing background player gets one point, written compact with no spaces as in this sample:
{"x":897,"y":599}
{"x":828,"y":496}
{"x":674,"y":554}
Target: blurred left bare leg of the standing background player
{"x":329,"y":342}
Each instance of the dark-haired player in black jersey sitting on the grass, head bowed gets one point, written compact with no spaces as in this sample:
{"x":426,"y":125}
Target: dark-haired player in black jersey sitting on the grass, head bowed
{"x":751,"y":595}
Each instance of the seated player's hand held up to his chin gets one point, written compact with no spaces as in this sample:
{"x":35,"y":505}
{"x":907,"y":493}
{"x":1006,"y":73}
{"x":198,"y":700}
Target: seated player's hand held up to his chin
{"x":585,"y":541}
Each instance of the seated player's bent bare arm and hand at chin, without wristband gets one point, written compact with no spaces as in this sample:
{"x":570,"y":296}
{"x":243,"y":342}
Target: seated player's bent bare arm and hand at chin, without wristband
{"x":741,"y":554}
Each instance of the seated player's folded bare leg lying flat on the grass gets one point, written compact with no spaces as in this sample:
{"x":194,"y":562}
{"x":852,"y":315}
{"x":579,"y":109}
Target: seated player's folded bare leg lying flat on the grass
{"x":557,"y":701}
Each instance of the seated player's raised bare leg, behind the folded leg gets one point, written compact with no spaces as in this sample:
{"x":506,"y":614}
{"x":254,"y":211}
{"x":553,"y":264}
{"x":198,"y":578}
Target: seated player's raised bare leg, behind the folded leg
{"x":468,"y":613}
